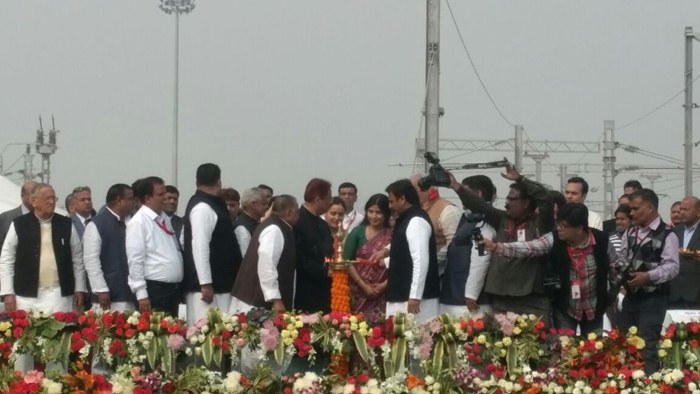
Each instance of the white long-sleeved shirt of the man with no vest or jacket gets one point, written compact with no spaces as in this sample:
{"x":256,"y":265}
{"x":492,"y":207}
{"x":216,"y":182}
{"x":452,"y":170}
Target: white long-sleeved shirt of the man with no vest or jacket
{"x":153,"y":254}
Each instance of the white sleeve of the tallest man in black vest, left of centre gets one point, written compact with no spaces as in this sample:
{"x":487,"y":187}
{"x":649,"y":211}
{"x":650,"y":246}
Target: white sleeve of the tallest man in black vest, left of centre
{"x":203,"y":221}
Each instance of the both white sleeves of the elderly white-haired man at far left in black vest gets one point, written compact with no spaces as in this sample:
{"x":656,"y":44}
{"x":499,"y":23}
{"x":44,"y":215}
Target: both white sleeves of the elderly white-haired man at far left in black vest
{"x":8,"y":258}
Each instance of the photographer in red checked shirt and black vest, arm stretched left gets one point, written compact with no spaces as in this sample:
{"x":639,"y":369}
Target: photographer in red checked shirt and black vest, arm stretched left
{"x":583,"y":258}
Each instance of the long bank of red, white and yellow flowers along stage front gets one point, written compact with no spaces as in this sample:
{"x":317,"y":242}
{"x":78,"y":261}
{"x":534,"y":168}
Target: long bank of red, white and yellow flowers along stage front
{"x":143,"y":353}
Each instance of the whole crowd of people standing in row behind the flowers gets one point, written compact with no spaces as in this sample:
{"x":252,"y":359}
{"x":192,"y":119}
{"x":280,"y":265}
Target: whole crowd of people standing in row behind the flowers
{"x":545,"y":254}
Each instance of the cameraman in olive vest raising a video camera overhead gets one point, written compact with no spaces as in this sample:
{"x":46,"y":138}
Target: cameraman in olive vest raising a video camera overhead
{"x":515,"y":284}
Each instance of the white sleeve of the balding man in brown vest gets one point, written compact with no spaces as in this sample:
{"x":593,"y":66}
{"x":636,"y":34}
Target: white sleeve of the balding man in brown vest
{"x":271,"y":243}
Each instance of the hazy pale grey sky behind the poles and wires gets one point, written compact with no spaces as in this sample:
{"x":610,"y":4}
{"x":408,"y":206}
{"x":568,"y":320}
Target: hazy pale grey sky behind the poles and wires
{"x":282,"y":91}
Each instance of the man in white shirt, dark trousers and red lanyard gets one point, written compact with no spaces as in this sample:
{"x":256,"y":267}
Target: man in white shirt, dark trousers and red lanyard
{"x":153,"y":251}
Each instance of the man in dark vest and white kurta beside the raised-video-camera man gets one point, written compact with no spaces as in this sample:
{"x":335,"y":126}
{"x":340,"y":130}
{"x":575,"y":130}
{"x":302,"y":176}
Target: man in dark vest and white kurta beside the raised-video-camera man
{"x":465,"y":272}
